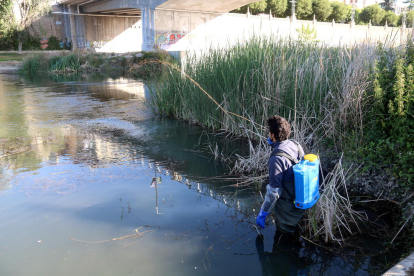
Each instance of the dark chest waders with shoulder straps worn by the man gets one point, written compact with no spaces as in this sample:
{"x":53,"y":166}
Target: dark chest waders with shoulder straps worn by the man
{"x":287,"y":215}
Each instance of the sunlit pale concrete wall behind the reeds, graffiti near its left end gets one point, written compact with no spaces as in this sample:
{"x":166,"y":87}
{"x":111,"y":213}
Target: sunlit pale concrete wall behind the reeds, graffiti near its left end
{"x":182,"y":31}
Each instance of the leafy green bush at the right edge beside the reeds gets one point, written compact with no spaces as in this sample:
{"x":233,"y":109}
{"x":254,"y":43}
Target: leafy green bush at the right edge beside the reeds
{"x":393,"y":133}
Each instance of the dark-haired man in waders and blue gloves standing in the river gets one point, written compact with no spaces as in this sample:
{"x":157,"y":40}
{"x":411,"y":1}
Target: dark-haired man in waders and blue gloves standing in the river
{"x":280,"y":192}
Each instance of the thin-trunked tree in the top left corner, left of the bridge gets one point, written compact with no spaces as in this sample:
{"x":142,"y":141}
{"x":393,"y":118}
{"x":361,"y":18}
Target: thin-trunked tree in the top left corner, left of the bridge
{"x":23,"y":15}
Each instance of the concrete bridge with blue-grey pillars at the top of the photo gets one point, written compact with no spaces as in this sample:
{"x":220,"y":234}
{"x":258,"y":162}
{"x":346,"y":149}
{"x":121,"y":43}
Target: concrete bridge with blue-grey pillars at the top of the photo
{"x":134,"y":25}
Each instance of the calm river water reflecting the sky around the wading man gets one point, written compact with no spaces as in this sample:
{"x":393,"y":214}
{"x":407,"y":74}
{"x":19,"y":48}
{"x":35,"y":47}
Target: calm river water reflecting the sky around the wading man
{"x":93,"y":183}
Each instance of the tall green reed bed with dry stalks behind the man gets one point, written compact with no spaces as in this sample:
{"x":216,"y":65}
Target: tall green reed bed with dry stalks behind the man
{"x":320,"y":89}
